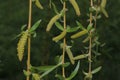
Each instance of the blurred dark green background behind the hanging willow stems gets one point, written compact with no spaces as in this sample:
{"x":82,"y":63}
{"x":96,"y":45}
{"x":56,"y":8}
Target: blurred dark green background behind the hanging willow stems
{"x":14,"y":14}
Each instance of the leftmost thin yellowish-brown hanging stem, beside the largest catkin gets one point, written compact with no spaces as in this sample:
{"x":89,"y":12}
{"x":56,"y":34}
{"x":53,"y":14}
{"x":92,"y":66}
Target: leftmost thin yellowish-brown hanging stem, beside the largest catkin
{"x":29,"y":39}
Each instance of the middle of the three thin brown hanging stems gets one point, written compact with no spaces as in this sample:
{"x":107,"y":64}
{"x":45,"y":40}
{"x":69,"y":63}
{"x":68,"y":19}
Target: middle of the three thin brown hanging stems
{"x":64,"y":40}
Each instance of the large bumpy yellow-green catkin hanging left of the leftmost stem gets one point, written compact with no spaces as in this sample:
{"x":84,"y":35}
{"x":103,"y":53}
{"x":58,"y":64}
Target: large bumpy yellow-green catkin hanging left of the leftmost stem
{"x":21,"y":45}
